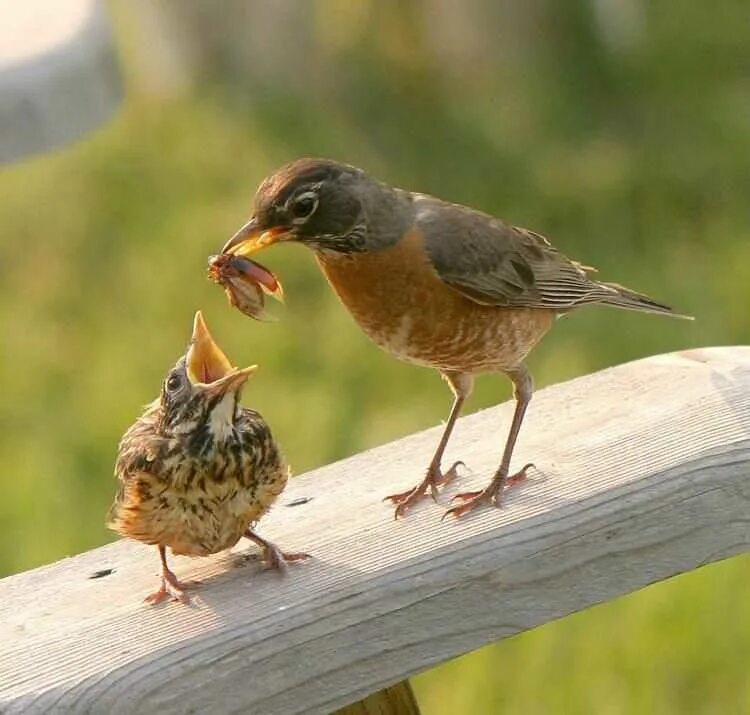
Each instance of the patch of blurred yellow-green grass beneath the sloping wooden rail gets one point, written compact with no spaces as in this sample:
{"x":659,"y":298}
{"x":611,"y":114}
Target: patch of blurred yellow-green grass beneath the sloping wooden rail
{"x":681,"y":646}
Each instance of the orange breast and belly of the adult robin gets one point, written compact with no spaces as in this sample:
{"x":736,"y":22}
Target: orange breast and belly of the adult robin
{"x":398,"y":299}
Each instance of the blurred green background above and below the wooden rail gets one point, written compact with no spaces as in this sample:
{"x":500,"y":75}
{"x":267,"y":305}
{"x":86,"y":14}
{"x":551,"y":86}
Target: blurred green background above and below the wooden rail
{"x":619,"y":128}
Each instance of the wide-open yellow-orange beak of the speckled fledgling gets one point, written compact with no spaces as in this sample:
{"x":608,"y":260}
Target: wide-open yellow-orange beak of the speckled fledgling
{"x":208,"y":366}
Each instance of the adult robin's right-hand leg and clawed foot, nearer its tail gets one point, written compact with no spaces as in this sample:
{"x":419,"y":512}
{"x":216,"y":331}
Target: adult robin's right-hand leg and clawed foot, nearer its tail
{"x":492,"y":493}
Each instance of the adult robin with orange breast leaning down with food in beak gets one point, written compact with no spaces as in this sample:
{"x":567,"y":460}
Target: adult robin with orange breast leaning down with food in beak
{"x":434,"y":283}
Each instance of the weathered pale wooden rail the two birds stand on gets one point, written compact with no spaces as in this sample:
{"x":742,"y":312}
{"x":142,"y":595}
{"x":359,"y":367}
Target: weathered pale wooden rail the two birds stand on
{"x":646,"y":474}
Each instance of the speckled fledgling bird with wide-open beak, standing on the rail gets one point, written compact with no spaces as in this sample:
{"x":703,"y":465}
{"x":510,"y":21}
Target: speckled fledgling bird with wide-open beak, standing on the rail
{"x":196,"y":471}
